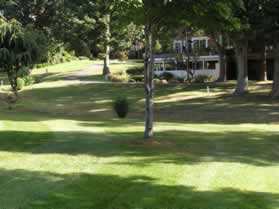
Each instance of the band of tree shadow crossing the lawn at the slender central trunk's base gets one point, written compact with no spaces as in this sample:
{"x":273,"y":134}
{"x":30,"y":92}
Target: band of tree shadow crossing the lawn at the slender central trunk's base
{"x":172,"y":146}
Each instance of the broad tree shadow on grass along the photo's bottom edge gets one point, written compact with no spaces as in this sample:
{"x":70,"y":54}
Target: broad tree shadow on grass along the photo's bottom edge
{"x":42,"y":190}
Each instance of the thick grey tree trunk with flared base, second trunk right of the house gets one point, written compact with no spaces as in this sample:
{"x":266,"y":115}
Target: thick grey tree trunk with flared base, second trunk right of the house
{"x":242,"y":68}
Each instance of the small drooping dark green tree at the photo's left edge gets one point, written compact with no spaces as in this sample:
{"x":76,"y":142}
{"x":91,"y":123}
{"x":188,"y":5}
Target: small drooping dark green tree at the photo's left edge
{"x":17,"y":50}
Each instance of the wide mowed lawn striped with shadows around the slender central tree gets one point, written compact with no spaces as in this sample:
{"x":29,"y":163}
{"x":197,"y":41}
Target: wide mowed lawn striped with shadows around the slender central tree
{"x":63,"y":147}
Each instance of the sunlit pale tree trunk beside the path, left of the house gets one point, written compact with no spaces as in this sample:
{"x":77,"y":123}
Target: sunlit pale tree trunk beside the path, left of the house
{"x":106,"y":69}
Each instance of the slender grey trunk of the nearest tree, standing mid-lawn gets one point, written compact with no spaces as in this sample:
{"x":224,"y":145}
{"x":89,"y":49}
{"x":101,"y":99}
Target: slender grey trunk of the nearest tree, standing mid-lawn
{"x":150,"y":42}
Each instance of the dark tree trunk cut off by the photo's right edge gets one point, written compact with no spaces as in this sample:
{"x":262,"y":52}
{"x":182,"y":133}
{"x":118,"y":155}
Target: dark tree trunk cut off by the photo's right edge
{"x":275,"y":87}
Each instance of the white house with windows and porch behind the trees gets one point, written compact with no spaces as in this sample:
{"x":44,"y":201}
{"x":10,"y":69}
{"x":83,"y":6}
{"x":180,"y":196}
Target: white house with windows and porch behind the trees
{"x":203,"y":59}
